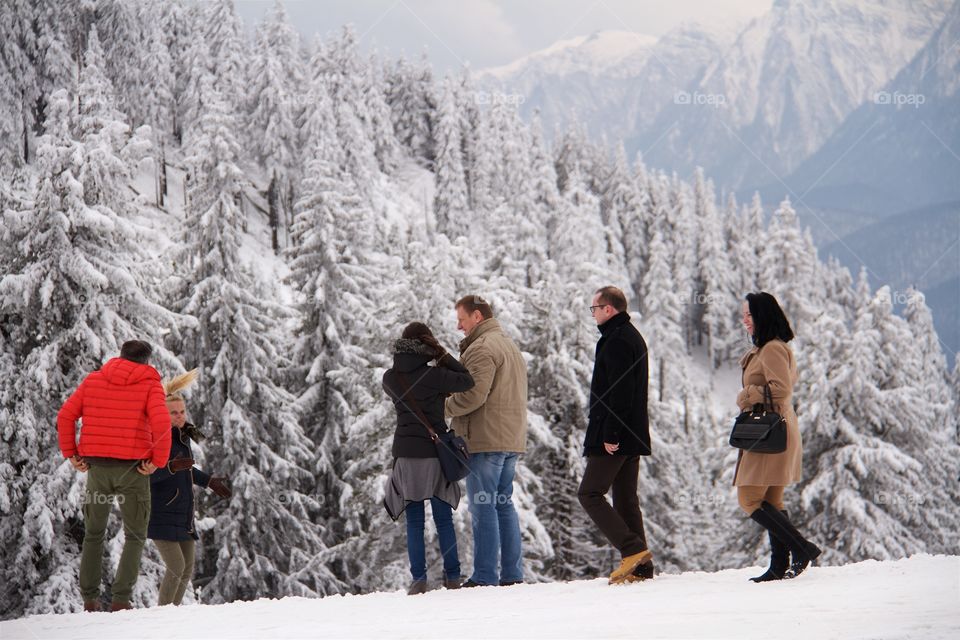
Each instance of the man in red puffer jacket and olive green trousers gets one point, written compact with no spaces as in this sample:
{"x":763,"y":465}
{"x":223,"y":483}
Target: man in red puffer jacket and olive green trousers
{"x":124,"y":437}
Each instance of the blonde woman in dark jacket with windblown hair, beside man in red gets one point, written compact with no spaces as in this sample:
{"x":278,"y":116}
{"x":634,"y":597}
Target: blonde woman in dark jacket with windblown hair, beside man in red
{"x":172,"y":501}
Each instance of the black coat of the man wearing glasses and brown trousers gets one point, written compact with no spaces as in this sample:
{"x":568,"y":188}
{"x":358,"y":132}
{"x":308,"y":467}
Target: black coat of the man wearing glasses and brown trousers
{"x":618,"y":391}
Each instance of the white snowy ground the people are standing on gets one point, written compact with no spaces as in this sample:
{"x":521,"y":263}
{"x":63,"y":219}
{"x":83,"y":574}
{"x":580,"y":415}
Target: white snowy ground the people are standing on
{"x":918,"y":597}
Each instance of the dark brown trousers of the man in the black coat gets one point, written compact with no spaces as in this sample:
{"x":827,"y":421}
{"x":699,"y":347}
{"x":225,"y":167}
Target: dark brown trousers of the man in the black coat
{"x":622,"y":523}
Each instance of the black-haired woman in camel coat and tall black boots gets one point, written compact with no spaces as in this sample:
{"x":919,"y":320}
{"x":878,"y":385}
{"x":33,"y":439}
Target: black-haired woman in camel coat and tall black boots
{"x":762,"y":477}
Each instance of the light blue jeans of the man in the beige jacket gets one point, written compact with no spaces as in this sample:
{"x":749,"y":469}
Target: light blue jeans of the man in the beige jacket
{"x":496,"y":527}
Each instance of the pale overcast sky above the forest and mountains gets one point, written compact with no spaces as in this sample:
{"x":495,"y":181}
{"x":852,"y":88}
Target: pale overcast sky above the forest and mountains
{"x":489,"y":33}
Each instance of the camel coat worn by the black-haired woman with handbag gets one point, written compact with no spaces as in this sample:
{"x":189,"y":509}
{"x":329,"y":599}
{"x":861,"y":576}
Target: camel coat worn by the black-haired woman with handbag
{"x":775,"y":365}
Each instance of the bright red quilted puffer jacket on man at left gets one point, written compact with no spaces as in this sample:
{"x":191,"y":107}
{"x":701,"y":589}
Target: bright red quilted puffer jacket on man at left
{"x":124,"y":414}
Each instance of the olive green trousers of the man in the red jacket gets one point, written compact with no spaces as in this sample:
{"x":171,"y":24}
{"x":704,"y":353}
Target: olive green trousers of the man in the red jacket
{"x":132,"y":492}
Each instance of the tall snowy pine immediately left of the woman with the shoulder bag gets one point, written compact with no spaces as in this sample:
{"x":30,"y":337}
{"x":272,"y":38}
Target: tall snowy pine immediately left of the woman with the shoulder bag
{"x":347,"y":317}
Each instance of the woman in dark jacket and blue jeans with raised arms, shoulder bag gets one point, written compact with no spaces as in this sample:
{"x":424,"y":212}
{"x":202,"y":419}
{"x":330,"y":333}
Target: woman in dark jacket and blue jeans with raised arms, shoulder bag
{"x":415,"y":388}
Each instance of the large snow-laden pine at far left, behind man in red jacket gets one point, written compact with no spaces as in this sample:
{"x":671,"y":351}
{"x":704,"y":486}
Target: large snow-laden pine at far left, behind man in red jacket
{"x":74,"y":291}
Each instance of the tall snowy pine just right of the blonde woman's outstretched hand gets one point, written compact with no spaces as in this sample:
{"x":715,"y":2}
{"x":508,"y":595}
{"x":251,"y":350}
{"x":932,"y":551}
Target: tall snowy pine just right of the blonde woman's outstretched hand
{"x":254,"y":432}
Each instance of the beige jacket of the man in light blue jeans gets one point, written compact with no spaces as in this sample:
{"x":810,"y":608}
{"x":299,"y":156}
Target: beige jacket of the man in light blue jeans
{"x":492,"y":416}
